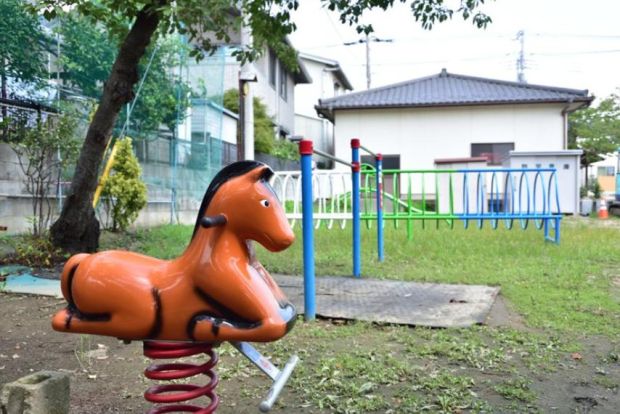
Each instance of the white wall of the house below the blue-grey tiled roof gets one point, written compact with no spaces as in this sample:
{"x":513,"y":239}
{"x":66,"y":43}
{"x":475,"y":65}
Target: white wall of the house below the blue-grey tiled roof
{"x":422,"y":135}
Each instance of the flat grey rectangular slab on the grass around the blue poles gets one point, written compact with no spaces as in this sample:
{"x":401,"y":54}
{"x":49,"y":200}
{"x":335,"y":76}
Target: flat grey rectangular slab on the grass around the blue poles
{"x":389,"y":301}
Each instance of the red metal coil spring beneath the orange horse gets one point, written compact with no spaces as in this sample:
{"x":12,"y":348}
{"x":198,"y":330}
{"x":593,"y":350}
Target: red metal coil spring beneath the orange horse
{"x":173,"y":394}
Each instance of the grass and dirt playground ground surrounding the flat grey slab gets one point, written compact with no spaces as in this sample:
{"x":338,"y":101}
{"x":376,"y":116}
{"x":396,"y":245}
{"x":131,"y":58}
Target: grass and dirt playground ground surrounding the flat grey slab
{"x":551,"y":345}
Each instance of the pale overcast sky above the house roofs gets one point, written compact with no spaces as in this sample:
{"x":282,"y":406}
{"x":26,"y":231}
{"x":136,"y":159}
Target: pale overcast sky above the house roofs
{"x":568,"y":43}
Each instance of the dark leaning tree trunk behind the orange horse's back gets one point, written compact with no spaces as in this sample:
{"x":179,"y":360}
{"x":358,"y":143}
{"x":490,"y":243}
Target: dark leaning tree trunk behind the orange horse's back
{"x":77,"y":228}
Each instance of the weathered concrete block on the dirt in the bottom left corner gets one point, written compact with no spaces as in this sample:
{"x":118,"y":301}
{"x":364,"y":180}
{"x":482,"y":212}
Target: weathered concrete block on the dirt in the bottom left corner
{"x":44,"y":392}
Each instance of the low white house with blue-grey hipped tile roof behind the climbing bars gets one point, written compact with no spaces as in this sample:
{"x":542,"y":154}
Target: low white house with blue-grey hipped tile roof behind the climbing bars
{"x":451,"y":116}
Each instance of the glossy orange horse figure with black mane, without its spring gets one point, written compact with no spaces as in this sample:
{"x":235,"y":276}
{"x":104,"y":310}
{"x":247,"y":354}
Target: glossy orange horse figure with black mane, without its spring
{"x":215,"y":291}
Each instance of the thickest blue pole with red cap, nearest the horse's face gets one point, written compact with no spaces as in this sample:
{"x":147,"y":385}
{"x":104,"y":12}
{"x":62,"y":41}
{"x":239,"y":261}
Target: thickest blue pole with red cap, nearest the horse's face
{"x":305,"y":150}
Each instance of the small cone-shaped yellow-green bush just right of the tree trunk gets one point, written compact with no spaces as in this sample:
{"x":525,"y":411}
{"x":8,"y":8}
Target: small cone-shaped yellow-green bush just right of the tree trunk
{"x":124,"y":192}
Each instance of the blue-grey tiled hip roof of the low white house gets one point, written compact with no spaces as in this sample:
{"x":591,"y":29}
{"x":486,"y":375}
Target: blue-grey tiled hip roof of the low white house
{"x":448,"y":89}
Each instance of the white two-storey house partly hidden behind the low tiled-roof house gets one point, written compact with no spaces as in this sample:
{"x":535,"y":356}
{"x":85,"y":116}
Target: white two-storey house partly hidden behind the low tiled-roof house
{"x":328,"y":81}
